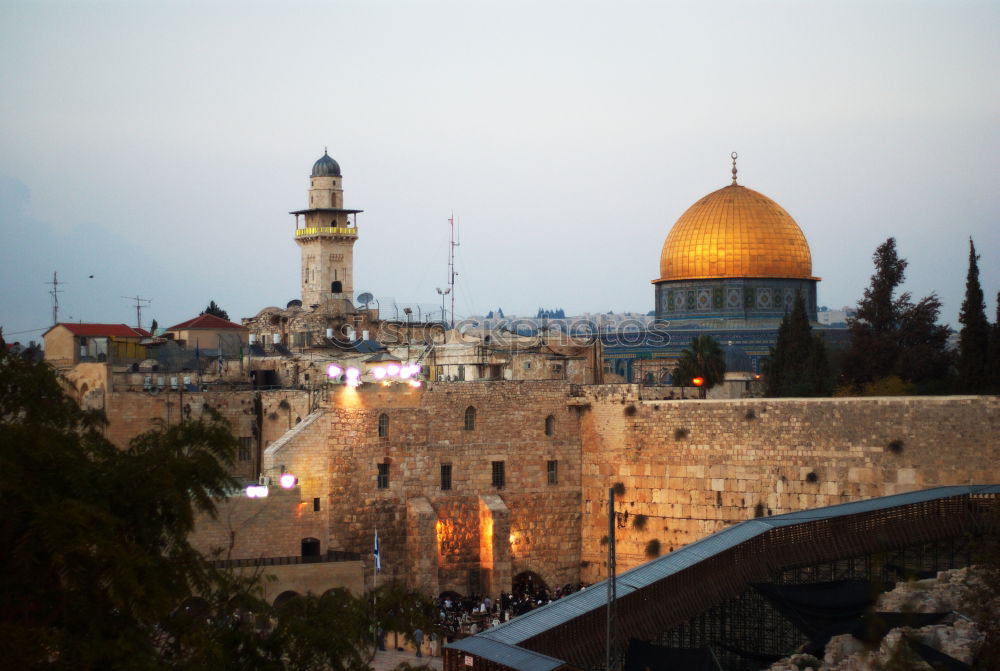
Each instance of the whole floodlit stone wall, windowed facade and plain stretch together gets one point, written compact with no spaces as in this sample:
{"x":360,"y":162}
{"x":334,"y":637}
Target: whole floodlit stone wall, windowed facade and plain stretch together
{"x":684,"y":468}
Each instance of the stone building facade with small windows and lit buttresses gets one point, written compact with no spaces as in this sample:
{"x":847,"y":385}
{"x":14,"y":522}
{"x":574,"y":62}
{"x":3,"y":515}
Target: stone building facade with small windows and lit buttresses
{"x":426,"y":428}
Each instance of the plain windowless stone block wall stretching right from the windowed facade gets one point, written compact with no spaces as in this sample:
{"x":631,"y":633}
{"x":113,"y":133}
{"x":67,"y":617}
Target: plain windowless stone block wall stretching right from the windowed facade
{"x":694,"y":467}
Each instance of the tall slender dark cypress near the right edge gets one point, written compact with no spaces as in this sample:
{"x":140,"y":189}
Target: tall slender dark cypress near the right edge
{"x":974,"y":338}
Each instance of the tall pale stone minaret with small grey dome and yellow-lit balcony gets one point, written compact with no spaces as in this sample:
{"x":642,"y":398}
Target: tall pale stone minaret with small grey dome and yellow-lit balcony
{"x":326,"y":235}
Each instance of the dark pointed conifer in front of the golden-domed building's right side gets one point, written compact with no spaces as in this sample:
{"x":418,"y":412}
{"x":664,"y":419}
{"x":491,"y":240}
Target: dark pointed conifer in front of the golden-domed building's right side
{"x":798,"y":363}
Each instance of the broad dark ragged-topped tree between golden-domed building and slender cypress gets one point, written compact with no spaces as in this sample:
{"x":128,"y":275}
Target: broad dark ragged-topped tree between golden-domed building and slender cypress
{"x":892,"y":335}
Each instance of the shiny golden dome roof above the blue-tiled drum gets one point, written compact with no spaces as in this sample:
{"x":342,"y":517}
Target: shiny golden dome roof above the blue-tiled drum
{"x":735,"y":232}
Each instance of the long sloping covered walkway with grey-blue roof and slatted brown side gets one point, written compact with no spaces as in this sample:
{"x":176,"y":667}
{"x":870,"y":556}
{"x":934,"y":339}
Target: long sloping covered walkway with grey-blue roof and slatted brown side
{"x":652,"y":597}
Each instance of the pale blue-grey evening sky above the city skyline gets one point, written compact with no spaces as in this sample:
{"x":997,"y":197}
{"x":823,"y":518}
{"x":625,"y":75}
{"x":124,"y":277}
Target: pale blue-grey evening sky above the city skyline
{"x":154,"y":149}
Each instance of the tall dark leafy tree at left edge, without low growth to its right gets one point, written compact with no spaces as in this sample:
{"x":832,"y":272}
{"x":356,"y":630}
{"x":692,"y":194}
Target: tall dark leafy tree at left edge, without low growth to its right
{"x":94,"y":556}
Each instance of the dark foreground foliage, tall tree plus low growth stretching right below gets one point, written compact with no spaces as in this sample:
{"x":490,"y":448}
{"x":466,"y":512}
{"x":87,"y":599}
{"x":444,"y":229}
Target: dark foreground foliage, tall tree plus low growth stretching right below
{"x":96,"y":571}
